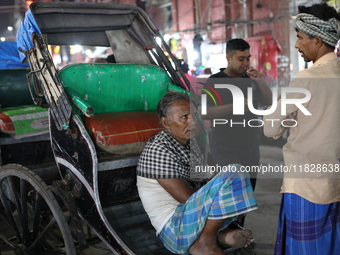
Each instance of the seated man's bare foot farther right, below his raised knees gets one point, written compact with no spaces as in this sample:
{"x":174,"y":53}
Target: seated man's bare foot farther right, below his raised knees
{"x":237,"y":238}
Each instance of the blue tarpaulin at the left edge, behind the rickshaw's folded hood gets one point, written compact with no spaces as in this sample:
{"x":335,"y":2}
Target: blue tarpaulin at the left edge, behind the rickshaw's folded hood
{"x":9,"y":56}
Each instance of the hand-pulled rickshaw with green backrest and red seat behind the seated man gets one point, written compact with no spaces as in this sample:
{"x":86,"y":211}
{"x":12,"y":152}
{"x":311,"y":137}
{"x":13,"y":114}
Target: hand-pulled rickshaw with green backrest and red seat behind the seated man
{"x":99,"y":117}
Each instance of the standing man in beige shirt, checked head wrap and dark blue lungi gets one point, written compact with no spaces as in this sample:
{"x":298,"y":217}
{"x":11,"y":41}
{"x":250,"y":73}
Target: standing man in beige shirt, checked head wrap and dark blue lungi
{"x":309,"y":221}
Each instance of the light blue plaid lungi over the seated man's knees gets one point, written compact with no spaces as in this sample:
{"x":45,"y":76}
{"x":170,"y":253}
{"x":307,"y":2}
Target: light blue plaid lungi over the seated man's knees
{"x":226,"y":196}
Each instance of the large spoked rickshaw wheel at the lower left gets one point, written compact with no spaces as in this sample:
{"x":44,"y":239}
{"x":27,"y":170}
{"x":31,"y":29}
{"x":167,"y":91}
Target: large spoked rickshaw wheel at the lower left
{"x":35,"y":223}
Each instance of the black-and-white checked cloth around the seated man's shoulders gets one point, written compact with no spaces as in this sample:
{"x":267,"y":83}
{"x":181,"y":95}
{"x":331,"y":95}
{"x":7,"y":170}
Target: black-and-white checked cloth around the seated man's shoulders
{"x":164,"y":158}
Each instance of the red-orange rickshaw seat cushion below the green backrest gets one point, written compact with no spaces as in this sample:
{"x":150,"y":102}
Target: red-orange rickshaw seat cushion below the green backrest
{"x":122,"y":132}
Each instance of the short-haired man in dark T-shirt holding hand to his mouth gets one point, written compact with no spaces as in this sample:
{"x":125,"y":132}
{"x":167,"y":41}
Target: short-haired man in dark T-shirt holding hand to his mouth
{"x":236,"y":140}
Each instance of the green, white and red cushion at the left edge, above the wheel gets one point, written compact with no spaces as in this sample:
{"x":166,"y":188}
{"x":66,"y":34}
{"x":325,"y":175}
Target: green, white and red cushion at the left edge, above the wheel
{"x":24,"y":120}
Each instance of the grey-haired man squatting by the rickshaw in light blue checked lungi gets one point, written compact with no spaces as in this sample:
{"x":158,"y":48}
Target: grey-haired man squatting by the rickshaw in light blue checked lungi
{"x":187,"y":218}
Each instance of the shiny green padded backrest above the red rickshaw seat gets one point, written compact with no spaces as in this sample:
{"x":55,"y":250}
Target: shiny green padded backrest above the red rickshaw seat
{"x":116,"y":87}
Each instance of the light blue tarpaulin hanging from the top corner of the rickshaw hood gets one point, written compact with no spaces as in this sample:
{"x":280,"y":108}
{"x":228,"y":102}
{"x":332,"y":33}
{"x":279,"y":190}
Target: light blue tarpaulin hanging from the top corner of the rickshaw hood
{"x":27,"y":28}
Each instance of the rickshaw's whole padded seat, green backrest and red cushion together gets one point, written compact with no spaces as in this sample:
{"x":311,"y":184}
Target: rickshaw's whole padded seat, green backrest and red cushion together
{"x":118,"y":102}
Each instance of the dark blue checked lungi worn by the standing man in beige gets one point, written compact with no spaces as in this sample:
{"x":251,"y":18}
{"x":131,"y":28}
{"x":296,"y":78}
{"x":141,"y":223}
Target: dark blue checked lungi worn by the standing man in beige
{"x":306,"y":228}
